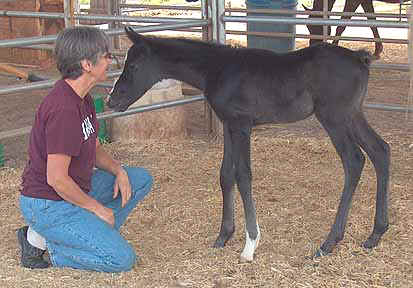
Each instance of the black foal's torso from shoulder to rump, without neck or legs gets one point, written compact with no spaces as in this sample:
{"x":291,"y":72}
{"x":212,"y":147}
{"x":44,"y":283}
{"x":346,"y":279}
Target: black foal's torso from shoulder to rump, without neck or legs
{"x":278,"y":88}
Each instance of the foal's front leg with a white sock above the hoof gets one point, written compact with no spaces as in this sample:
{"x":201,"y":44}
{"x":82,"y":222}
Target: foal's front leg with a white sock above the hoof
{"x":241,"y":133}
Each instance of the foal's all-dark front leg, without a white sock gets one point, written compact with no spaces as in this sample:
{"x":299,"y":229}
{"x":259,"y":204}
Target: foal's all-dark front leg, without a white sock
{"x":227,"y":180}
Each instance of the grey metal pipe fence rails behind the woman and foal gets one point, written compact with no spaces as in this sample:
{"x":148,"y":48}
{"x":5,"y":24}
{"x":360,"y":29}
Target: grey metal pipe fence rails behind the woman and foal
{"x":215,"y":17}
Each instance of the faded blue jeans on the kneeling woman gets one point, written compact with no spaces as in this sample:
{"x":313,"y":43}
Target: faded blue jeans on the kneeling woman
{"x":78,"y":238}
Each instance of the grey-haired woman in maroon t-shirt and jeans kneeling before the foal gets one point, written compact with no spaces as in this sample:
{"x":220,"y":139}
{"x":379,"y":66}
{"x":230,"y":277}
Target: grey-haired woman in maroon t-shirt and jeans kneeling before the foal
{"x":73,"y":210}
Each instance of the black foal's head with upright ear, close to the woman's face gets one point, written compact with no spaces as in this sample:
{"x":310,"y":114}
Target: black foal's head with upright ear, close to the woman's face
{"x":139,"y":74}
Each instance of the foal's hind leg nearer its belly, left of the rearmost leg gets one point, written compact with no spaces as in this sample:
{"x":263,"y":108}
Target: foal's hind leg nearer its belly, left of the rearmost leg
{"x":353,"y":162}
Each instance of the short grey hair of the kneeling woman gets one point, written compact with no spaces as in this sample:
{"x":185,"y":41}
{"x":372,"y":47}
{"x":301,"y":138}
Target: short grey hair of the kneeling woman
{"x":76,"y":44}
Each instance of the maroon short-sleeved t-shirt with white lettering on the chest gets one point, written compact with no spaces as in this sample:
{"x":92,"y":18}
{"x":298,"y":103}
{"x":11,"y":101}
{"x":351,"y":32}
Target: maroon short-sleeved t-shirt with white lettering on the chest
{"x":64,"y":124}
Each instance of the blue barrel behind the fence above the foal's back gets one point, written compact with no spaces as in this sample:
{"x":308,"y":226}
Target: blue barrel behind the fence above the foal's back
{"x":276,"y":44}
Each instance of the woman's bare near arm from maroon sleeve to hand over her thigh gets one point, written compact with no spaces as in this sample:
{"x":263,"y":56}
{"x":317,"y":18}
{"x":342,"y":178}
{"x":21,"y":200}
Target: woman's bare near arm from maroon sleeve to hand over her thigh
{"x":58,"y":177}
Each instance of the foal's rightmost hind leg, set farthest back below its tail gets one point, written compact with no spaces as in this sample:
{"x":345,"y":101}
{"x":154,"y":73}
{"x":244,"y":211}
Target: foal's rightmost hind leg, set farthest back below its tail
{"x":379,"y":153}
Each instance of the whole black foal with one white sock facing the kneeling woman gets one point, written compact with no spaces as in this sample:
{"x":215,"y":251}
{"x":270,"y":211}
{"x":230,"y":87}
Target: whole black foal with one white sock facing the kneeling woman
{"x":248,"y":87}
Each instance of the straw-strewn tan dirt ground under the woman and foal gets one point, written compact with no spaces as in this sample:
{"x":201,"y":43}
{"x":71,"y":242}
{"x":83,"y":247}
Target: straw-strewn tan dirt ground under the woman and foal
{"x":297,"y":181}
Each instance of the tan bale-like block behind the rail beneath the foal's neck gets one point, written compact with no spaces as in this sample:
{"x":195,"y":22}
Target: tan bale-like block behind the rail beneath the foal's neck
{"x":163,"y":123}
